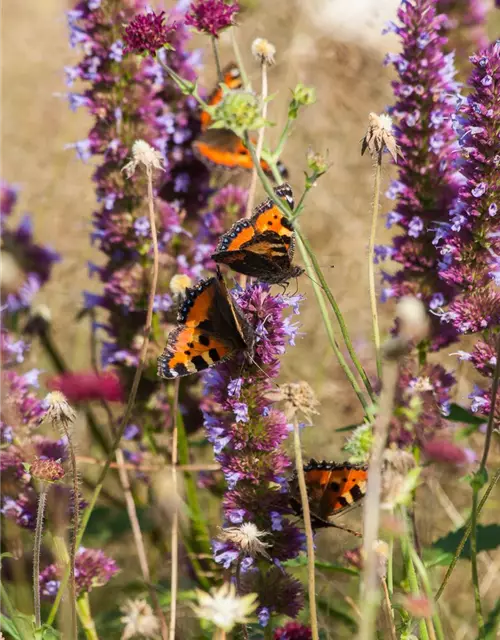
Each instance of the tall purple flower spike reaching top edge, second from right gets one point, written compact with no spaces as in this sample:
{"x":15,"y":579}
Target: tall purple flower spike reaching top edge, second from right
{"x":426,"y":187}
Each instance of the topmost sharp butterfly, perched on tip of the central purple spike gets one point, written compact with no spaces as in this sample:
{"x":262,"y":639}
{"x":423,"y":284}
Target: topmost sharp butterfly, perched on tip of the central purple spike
{"x":262,"y":246}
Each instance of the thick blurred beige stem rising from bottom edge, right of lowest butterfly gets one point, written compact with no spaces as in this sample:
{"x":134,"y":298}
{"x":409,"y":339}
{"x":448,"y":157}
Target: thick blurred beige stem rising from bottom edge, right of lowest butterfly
{"x":370,"y":581}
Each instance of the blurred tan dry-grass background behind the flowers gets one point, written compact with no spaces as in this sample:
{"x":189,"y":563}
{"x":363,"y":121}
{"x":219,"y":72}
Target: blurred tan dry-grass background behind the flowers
{"x":332,"y":45}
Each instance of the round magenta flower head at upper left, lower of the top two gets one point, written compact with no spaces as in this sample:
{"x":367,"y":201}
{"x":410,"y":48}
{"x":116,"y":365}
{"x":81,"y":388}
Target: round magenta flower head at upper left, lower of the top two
{"x":148,"y":33}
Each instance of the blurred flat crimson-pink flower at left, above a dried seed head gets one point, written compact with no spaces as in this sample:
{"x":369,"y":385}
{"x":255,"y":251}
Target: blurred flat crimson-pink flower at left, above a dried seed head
{"x":81,"y":387}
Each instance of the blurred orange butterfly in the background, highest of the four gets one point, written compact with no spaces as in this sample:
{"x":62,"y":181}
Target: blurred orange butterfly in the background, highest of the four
{"x":222,"y":147}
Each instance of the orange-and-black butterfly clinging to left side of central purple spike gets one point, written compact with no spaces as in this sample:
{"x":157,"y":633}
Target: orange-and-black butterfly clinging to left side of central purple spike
{"x":210,"y":329}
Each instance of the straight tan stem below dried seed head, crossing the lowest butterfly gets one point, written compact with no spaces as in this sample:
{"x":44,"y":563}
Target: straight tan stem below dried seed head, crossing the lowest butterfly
{"x":311,"y":583}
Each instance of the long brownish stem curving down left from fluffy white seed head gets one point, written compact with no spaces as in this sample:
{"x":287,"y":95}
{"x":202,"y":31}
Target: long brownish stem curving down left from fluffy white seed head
{"x":131,"y":399}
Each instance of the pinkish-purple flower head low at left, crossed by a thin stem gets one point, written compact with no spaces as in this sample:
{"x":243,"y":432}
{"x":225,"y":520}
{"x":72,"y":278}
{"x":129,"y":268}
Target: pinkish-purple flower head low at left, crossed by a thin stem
{"x":92,"y":569}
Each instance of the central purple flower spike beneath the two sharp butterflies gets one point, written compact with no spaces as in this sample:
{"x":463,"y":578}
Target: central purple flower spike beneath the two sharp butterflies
{"x":247,"y":433}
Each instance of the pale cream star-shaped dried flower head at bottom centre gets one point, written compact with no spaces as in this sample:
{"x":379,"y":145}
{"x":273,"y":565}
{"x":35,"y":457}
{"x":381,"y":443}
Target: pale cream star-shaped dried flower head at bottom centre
{"x":224,"y":608}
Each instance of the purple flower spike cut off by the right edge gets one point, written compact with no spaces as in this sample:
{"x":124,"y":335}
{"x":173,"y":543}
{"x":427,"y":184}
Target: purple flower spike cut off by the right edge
{"x":470,"y":242}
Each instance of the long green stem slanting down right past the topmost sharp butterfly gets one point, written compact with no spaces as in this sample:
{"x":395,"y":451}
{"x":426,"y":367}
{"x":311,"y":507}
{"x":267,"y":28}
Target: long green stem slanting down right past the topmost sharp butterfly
{"x":286,"y":211}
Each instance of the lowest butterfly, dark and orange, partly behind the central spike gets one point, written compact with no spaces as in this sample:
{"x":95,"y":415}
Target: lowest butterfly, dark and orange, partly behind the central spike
{"x":332,"y":488}
